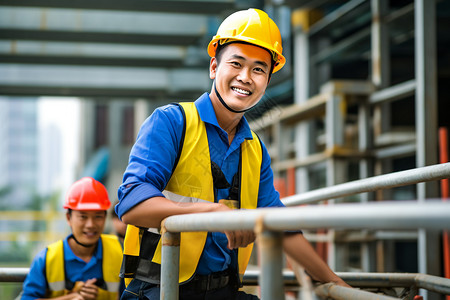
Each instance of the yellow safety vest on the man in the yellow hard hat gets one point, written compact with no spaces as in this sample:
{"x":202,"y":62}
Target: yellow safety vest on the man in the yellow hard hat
{"x":190,"y":181}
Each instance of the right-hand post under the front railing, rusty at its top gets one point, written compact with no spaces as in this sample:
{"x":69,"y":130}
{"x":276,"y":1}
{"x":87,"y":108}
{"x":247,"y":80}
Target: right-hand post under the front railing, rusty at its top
{"x":271,"y":278}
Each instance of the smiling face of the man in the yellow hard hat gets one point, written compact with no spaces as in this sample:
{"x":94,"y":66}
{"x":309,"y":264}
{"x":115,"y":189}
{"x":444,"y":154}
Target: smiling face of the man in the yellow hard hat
{"x":242,"y":74}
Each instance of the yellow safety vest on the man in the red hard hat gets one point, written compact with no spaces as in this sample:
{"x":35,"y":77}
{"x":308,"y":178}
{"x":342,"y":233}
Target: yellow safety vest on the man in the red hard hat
{"x":112,"y":260}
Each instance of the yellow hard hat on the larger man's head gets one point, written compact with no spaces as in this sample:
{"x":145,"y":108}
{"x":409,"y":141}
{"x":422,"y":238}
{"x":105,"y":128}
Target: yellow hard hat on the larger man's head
{"x":251,"y":26}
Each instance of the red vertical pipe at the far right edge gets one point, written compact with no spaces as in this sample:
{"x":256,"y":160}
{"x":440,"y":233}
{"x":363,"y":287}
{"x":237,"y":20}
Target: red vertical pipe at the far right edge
{"x":443,"y":154}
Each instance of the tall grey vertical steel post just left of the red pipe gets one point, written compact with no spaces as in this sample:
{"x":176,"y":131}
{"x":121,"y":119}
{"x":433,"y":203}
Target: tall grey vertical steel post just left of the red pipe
{"x":426,"y":123}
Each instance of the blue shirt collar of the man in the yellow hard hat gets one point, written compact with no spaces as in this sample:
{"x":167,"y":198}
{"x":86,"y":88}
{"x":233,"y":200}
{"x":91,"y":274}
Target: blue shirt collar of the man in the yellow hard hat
{"x":208,"y":115}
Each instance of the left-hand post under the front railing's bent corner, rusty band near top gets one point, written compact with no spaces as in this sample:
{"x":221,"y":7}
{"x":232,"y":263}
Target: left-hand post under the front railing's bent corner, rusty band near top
{"x":170,"y":264}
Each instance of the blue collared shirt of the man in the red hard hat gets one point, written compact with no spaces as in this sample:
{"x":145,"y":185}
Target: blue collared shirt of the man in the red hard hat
{"x":76,"y":269}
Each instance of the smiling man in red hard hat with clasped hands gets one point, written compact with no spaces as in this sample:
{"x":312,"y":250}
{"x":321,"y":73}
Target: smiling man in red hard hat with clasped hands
{"x":86,"y":264}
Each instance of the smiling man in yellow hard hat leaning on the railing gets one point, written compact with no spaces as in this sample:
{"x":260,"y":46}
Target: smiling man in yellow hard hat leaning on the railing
{"x":202,"y":156}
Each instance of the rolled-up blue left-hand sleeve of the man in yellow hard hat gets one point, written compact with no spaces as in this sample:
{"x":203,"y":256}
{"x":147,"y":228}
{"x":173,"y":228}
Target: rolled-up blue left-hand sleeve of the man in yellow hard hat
{"x":152,"y":158}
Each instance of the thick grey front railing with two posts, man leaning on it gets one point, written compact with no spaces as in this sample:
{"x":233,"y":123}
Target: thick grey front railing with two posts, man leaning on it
{"x":269,"y":224}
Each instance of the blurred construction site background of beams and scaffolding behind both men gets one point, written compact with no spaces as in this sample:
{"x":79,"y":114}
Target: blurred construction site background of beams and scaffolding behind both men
{"x":365,"y":92}
